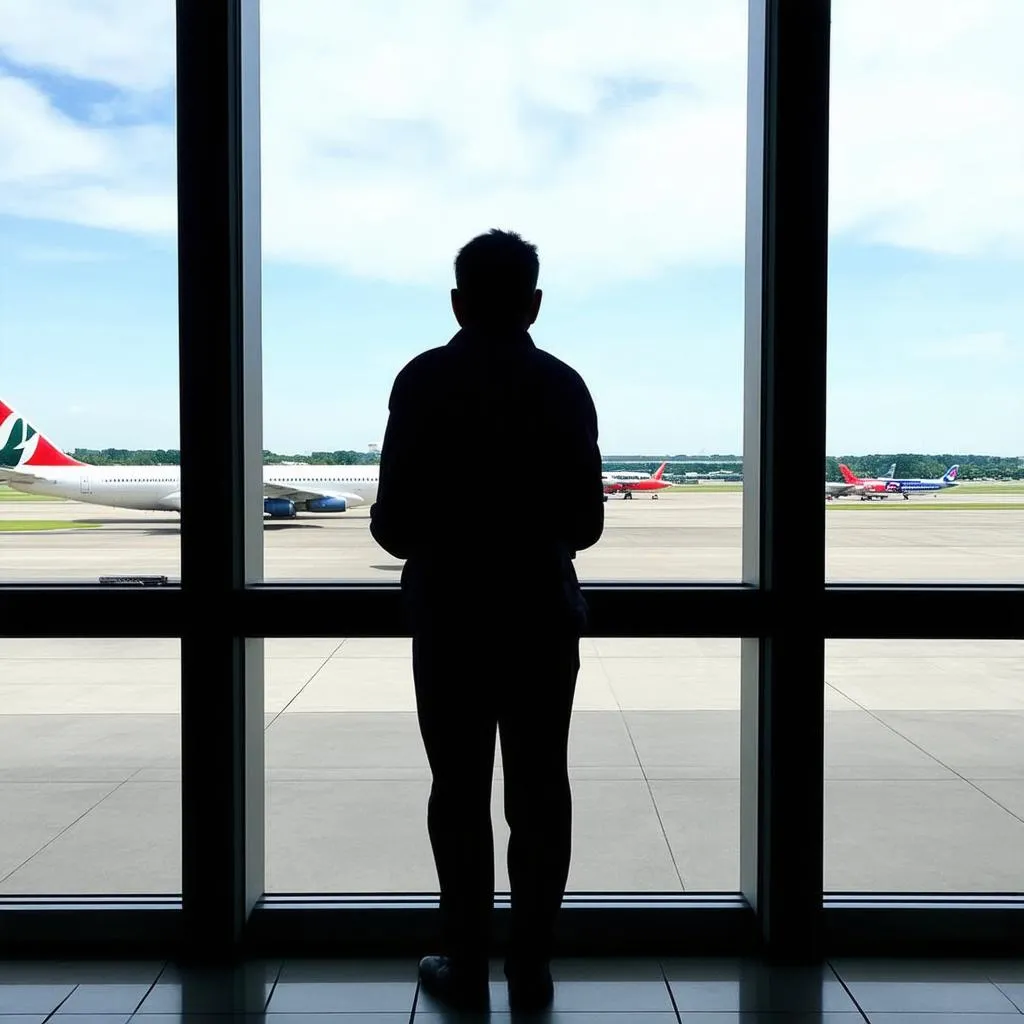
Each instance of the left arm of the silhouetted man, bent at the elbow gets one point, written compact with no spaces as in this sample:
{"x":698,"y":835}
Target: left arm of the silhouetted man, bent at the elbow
{"x":393,"y":518}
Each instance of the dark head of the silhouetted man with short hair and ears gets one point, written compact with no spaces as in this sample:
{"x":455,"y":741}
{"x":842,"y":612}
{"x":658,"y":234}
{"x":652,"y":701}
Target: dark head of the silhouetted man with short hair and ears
{"x":496,"y":282}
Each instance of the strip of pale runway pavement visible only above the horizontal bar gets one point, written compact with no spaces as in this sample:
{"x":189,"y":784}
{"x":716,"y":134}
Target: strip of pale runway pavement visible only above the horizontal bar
{"x":682,"y":536}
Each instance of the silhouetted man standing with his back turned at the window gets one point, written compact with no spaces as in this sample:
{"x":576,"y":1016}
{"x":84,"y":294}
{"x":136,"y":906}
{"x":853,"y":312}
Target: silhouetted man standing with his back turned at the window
{"x":490,"y":484}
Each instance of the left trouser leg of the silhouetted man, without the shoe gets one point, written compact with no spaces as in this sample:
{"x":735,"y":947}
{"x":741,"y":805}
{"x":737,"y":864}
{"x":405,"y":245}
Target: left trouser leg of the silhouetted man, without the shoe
{"x":458,"y":723}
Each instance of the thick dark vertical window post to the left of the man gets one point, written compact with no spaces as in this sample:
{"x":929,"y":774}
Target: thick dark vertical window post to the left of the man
{"x":222,"y":549}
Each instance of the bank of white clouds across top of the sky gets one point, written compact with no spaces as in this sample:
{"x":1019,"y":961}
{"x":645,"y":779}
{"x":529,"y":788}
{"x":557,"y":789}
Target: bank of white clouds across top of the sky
{"x":393,"y":133}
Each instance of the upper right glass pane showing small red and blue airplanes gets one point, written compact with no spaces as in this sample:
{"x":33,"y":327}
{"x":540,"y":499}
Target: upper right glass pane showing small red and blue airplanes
{"x":926,"y":333}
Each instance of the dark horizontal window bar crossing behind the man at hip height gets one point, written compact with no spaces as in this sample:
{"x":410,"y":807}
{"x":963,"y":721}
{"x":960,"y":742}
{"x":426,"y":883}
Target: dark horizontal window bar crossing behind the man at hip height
{"x":644,"y":611}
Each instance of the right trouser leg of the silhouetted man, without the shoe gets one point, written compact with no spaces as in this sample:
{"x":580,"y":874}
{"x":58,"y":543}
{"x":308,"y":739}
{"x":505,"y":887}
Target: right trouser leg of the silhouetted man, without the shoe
{"x":534,"y":720}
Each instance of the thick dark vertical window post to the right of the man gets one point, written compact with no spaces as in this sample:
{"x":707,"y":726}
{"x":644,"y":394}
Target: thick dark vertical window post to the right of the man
{"x":783,"y":734}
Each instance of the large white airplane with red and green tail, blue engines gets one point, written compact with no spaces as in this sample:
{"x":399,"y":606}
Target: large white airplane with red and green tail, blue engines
{"x":29,"y":462}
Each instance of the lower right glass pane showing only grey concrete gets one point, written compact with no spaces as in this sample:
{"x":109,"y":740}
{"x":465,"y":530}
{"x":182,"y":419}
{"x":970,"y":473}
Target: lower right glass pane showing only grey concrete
{"x":925,"y":766}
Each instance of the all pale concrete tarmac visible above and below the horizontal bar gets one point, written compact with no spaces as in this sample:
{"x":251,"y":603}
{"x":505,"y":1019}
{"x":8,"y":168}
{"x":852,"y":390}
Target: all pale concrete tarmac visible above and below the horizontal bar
{"x":925,"y":741}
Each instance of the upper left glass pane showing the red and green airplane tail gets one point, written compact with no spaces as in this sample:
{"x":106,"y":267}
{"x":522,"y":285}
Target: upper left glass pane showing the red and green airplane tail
{"x":89,"y":320}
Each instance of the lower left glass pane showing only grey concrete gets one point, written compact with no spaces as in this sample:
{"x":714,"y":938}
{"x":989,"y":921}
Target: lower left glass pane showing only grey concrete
{"x":91,"y":758}
